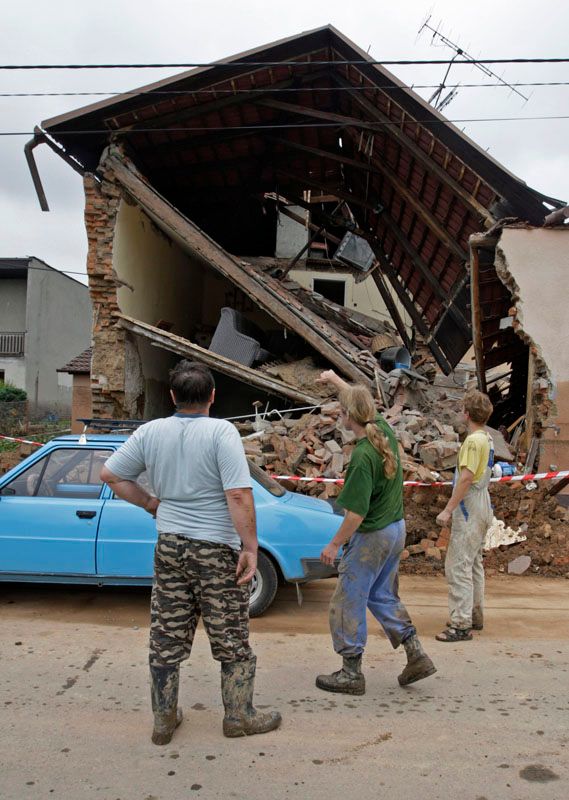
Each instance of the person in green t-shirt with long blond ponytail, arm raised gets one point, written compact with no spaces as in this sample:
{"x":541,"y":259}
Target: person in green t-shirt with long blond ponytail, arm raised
{"x":372,"y":536}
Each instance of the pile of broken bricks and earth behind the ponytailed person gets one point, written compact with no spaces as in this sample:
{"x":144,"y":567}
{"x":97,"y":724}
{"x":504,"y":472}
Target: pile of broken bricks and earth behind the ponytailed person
{"x":428,"y":423}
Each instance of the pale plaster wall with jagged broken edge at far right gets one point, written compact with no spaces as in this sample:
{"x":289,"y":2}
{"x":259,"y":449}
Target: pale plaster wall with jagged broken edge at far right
{"x":534,"y":264}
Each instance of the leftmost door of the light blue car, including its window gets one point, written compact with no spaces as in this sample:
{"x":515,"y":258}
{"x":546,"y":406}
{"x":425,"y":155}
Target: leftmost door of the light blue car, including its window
{"x":50,"y":512}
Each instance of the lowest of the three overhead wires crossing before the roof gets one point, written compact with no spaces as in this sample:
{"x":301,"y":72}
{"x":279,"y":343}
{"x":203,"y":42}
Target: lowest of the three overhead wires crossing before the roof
{"x":278,"y":126}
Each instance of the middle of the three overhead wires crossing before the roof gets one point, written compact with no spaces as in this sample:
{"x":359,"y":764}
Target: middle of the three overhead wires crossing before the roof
{"x":278,"y":90}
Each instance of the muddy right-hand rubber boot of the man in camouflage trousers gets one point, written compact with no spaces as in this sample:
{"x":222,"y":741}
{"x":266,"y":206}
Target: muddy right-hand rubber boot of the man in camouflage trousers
{"x":241,"y":717}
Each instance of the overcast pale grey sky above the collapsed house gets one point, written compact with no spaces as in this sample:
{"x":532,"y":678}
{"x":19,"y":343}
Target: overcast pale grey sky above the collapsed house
{"x":67,"y":31}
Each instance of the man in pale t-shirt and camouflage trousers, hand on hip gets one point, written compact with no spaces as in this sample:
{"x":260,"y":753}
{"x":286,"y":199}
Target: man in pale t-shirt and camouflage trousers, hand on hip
{"x":206,"y":553}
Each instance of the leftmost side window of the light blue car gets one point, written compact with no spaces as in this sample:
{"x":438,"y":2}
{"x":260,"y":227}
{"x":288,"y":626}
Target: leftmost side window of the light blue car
{"x":66,"y":472}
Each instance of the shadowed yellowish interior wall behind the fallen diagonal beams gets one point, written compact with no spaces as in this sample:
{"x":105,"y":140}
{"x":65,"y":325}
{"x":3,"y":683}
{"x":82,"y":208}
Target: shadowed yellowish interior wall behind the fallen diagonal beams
{"x":168,"y":288}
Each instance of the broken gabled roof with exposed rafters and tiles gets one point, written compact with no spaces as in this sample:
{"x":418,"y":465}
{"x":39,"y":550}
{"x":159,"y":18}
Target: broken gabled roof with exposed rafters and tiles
{"x":416,"y":185}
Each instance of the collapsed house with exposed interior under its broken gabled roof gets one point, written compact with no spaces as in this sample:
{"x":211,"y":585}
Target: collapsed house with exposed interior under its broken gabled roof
{"x":188,"y":179}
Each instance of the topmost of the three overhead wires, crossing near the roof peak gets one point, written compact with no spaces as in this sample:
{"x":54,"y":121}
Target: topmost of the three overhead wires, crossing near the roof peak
{"x":315,"y":63}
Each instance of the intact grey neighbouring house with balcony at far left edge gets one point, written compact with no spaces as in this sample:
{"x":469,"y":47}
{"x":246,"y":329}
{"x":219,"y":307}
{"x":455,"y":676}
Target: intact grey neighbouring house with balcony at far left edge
{"x":45,"y":319}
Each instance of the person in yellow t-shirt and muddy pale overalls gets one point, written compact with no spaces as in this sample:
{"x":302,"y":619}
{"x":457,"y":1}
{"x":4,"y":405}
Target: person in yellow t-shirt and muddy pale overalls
{"x":471,"y":512}
